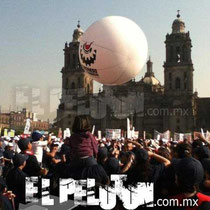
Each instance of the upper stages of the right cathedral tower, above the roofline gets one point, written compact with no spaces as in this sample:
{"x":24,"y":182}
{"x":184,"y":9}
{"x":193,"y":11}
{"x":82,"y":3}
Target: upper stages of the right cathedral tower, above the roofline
{"x":178,"y":67}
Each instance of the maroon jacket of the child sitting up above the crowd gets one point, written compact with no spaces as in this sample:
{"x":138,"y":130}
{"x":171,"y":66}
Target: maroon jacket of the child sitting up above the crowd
{"x":82,"y":144}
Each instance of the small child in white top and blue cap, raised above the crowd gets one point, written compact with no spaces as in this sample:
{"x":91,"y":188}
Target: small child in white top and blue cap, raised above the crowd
{"x":37,"y":145}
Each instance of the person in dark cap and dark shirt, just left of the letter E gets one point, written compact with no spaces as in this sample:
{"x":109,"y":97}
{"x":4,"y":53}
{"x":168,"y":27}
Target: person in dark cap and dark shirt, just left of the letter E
{"x":16,"y":179}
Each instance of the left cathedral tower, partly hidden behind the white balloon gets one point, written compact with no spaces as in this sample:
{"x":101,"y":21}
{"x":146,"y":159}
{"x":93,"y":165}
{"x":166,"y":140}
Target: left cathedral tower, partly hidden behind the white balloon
{"x":74,"y":82}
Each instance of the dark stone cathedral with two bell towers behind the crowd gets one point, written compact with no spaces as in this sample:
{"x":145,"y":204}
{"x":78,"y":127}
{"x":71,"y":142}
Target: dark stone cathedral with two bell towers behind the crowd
{"x":150,"y":105}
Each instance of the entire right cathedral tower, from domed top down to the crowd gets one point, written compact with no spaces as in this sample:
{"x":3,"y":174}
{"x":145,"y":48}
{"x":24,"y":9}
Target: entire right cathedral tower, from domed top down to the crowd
{"x":179,"y":100}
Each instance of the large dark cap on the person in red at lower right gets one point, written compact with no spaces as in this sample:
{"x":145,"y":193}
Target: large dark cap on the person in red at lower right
{"x":189,"y":171}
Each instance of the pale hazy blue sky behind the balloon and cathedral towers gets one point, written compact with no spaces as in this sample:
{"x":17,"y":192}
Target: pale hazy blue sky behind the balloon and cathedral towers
{"x":33,"y":34}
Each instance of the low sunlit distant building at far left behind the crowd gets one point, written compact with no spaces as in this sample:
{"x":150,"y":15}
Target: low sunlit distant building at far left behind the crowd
{"x":17,"y":120}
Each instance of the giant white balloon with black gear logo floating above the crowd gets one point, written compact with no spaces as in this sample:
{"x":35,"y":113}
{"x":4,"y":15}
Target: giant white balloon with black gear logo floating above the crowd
{"x":113,"y":50}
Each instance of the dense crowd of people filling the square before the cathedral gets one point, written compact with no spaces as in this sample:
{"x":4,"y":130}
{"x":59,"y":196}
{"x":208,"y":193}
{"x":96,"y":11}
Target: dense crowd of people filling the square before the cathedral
{"x":178,"y":170}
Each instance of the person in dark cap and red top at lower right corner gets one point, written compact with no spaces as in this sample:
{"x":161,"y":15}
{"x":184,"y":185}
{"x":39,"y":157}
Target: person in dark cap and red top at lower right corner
{"x":189,"y":174}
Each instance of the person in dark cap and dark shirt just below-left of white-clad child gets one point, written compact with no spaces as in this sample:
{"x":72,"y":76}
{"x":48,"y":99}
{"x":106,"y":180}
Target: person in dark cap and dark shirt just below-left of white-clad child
{"x":32,"y":167}
